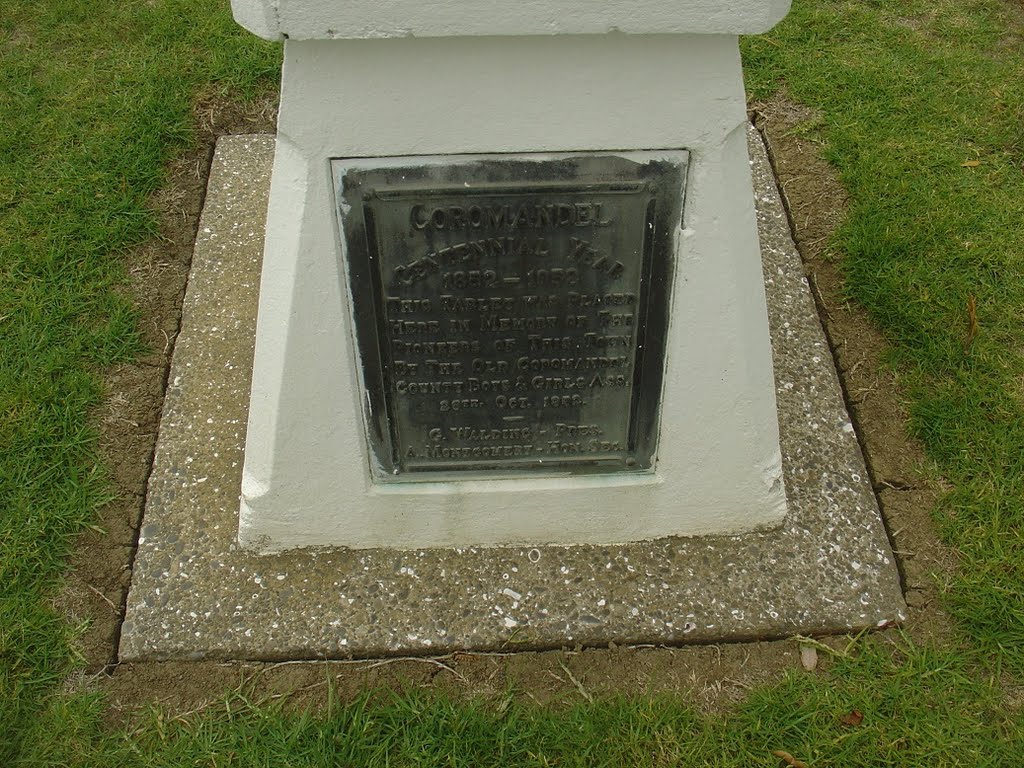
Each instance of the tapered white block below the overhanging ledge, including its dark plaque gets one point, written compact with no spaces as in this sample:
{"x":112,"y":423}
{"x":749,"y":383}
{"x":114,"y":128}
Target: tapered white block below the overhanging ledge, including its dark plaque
{"x":377,"y":415}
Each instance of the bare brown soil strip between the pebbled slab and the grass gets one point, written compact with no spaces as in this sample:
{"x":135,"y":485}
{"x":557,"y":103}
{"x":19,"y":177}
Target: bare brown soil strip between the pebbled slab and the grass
{"x":710,"y":676}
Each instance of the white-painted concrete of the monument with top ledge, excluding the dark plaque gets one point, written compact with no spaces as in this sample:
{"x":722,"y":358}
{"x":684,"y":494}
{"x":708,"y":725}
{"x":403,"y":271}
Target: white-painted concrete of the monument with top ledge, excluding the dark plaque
{"x":477,"y":78}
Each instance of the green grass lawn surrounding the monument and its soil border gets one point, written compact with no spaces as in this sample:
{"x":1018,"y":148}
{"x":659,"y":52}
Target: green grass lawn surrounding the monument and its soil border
{"x":923,"y":117}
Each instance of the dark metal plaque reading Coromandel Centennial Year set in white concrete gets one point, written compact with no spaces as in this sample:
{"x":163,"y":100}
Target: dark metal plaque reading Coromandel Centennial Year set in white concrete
{"x":511,"y":311}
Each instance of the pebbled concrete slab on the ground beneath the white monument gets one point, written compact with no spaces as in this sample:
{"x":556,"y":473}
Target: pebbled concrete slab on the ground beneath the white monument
{"x":196,"y":595}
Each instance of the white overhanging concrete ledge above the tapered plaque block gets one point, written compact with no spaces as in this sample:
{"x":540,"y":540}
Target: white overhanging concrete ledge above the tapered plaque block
{"x":317,"y":20}
